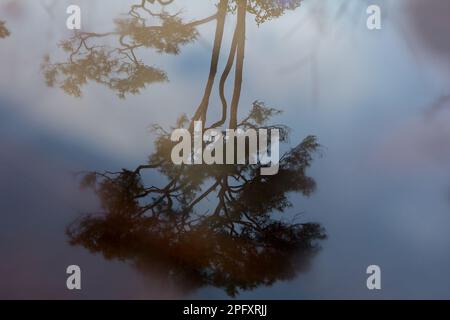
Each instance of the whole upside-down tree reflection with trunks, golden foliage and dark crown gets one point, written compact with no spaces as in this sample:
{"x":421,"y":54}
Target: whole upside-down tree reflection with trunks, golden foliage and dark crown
{"x":219,"y":225}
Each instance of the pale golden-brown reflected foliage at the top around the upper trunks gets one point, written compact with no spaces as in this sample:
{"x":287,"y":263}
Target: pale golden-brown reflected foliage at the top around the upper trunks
{"x":117,"y":65}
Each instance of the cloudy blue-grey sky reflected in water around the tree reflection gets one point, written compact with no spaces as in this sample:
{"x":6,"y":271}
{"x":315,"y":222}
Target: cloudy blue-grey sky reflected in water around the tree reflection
{"x":376,"y":100}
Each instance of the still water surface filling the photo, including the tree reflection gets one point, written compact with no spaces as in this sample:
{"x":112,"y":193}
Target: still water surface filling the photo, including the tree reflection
{"x":85,"y":176}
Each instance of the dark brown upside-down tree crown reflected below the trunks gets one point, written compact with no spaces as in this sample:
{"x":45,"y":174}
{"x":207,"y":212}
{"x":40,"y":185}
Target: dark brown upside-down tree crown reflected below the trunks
{"x":237,"y":244}
